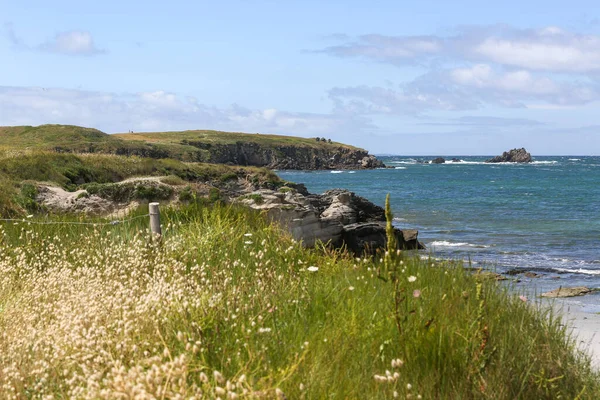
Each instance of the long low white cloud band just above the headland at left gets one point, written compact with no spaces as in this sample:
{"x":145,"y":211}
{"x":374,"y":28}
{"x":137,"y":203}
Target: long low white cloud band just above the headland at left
{"x":159,"y":110}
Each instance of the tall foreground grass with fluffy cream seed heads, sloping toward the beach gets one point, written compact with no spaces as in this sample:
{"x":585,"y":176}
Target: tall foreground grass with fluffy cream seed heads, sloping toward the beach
{"x":228,"y":306}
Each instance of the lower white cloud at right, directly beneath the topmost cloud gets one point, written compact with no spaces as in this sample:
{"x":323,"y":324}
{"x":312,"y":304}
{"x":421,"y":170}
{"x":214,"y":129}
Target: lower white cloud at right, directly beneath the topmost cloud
{"x":464,"y":89}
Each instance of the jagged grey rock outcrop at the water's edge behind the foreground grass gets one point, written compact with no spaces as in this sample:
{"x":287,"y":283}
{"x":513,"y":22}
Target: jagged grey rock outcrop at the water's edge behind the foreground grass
{"x":337,"y":217}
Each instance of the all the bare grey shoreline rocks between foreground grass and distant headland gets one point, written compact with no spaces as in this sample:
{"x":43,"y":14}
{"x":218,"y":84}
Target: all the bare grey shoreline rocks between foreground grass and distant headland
{"x":337,"y":218}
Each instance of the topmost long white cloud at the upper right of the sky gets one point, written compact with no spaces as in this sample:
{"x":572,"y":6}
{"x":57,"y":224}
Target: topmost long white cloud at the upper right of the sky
{"x":547,"y":49}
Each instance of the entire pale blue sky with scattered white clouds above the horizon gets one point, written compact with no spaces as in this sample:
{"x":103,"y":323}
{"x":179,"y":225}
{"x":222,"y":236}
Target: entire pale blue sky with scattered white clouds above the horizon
{"x":424,"y":77}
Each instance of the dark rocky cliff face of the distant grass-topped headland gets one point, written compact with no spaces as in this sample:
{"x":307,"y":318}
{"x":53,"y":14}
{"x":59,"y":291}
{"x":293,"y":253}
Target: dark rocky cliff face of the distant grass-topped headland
{"x":285,"y":157}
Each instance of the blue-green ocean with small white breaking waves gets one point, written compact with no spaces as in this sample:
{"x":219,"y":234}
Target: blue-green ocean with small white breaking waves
{"x":543,"y":217}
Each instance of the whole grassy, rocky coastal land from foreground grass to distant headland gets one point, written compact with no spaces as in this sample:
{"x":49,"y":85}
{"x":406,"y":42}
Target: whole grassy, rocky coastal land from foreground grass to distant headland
{"x":227,"y":304}
